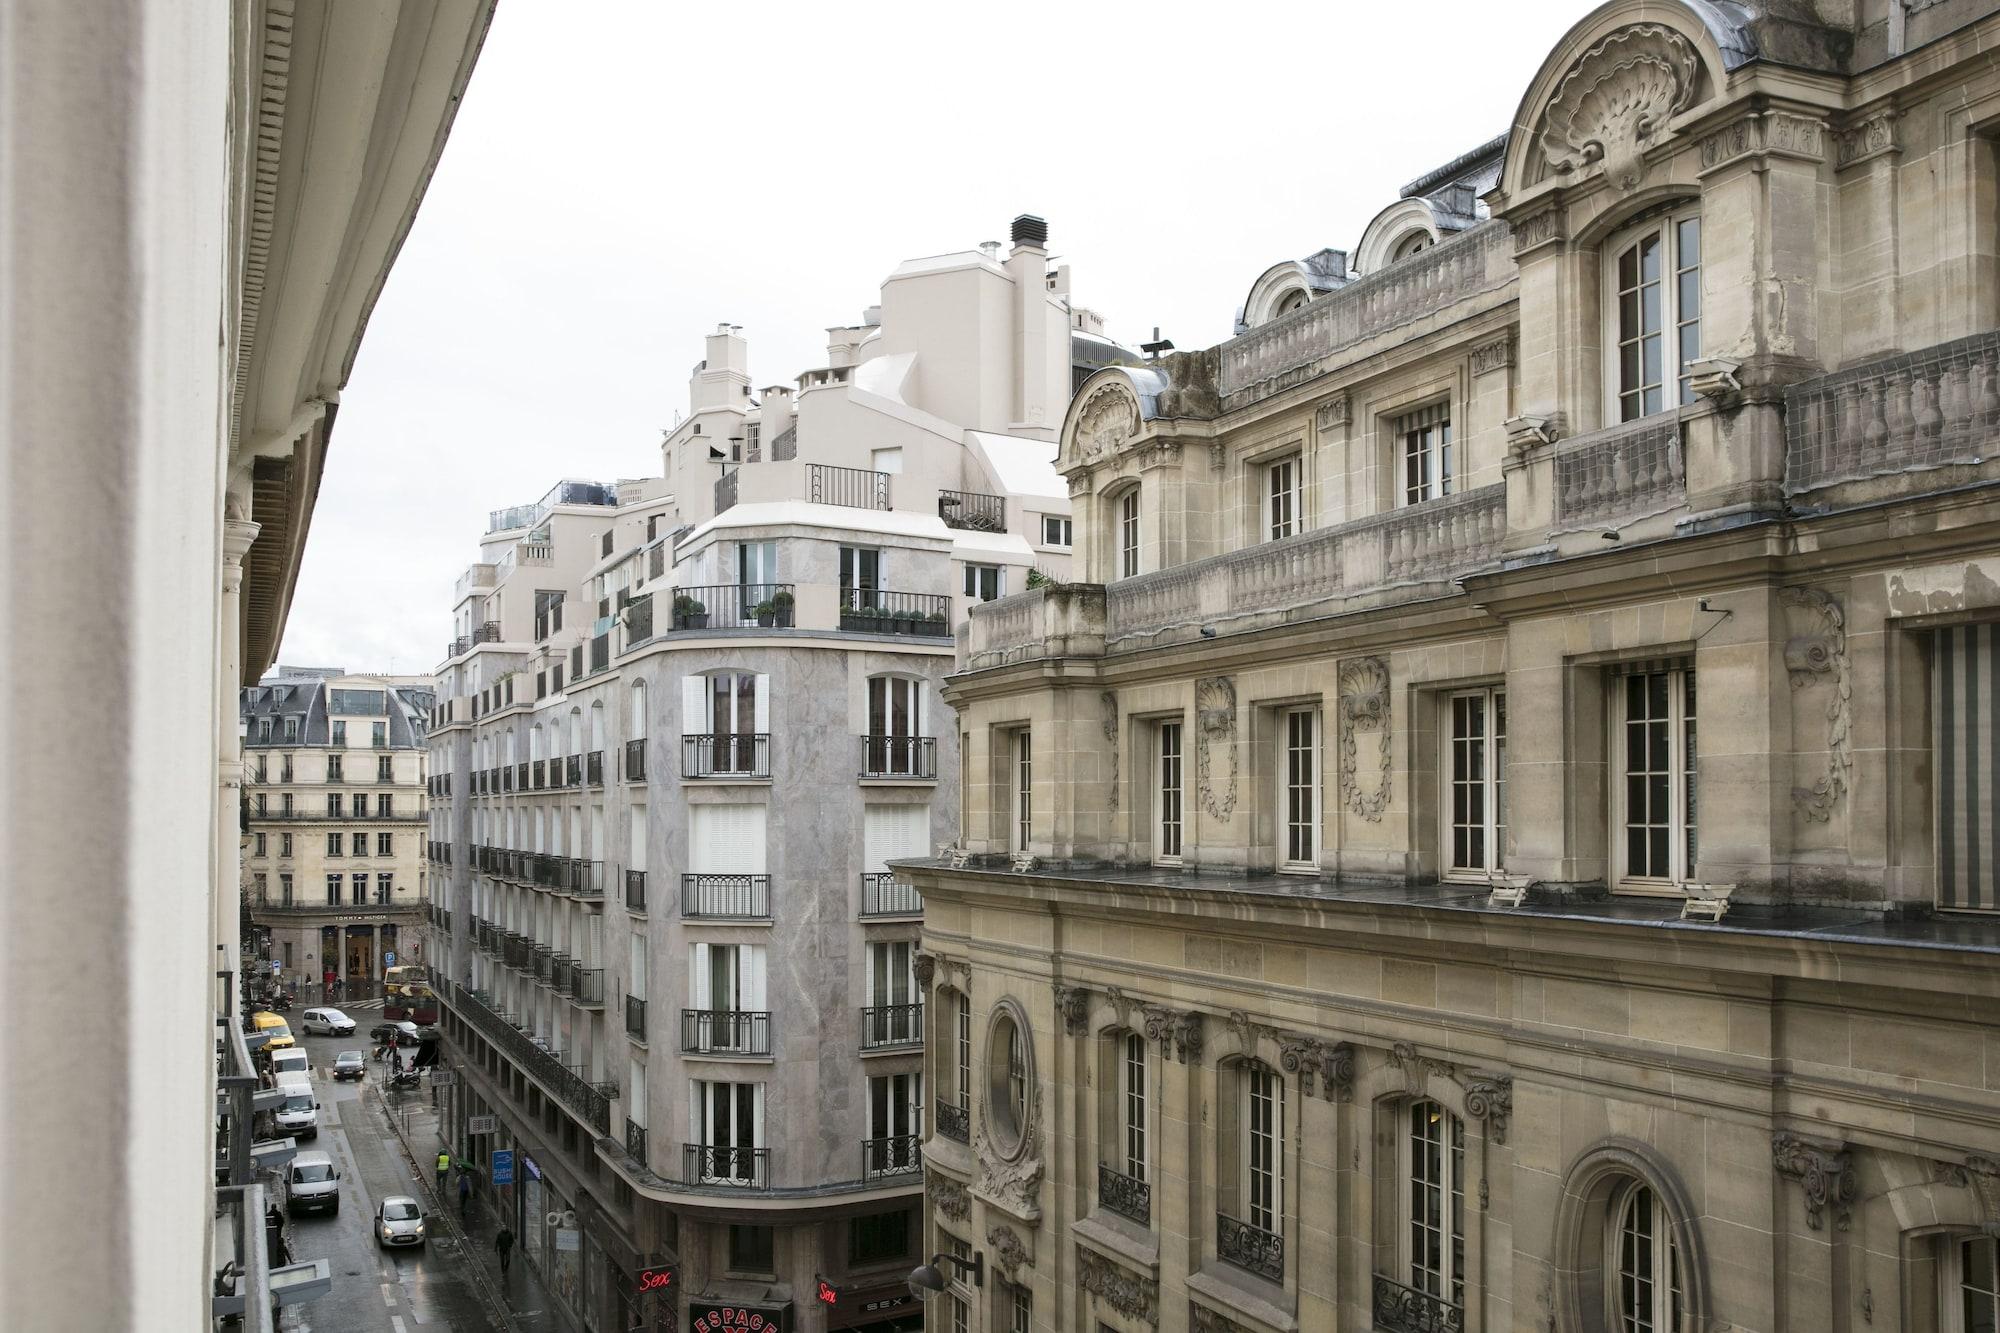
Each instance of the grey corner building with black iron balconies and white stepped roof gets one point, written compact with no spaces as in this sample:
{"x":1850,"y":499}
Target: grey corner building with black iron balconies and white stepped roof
{"x":683,"y":728}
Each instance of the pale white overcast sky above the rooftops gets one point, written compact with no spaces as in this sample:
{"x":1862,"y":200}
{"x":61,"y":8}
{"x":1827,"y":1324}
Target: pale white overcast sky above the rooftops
{"x":625,"y":177}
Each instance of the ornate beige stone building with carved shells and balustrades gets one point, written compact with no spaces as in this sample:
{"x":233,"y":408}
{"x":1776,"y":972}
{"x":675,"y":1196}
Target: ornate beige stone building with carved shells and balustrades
{"x":1501,"y":832}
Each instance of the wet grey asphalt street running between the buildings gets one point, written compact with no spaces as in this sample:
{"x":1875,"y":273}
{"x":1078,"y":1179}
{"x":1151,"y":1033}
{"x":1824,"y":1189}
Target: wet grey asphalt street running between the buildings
{"x":439,"y":1286}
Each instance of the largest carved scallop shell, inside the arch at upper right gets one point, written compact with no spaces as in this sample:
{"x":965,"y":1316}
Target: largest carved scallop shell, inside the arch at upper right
{"x":1615,"y":103}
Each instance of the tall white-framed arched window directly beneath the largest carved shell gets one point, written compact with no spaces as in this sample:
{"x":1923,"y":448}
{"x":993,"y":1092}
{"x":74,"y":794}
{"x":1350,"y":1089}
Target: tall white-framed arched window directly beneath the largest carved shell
{"x":1653,"y":287}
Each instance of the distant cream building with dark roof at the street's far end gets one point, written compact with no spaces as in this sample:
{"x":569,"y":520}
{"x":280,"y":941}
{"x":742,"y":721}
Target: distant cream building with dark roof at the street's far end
{"x":337,"y":822}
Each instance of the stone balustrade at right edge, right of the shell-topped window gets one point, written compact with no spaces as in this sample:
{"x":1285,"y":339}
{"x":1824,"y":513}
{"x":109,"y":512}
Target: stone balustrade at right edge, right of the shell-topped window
{"x":1907,"y":413}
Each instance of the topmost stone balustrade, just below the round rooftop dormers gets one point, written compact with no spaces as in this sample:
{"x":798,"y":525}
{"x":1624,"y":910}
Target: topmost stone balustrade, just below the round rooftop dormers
{"x":1291,"y":349}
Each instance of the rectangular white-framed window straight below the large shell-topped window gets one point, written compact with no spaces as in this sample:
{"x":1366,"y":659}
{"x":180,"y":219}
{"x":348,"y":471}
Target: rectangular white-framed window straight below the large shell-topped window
{"x":1655,"y":796}
